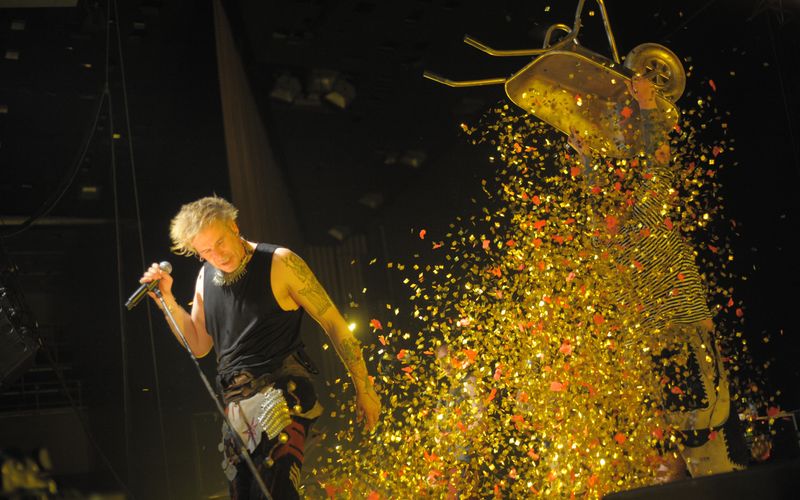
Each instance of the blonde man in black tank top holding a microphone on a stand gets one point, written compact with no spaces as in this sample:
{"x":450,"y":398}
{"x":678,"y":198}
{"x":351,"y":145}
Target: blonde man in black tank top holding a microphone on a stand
{"x":249,"y":300}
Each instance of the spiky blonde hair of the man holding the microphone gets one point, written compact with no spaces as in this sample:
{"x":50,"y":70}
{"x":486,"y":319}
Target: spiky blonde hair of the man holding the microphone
{"x":194,"y":216}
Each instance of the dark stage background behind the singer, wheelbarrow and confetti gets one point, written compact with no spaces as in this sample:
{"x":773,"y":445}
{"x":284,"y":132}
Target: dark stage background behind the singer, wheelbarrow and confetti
{"x":111,"y":117}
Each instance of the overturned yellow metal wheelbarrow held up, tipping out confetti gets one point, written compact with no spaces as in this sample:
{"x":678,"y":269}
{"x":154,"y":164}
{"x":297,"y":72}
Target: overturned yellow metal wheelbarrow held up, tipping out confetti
{"x":572,"y":88}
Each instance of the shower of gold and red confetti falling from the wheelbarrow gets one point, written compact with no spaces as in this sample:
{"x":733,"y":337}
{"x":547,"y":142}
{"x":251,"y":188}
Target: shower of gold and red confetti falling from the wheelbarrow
{"x":522,"y":367}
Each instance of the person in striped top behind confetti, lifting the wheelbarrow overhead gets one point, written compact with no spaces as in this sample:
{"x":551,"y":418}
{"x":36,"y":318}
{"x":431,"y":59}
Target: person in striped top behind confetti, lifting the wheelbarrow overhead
{"x":665,"y":286}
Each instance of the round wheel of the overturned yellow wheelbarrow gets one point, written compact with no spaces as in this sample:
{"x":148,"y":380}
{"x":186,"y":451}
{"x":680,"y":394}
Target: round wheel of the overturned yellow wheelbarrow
{"x":659,"y":65}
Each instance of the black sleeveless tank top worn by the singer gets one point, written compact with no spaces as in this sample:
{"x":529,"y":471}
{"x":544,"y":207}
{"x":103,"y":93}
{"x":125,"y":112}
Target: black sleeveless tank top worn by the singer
{"x":250,"y":330}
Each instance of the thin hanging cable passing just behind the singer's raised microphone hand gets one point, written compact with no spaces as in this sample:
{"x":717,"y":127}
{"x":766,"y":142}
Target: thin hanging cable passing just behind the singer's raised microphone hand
{"x":134,"y":183}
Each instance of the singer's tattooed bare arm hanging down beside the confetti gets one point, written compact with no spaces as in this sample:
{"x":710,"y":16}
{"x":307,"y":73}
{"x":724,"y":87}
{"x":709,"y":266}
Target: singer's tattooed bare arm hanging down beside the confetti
{"x":295,"y":283}
